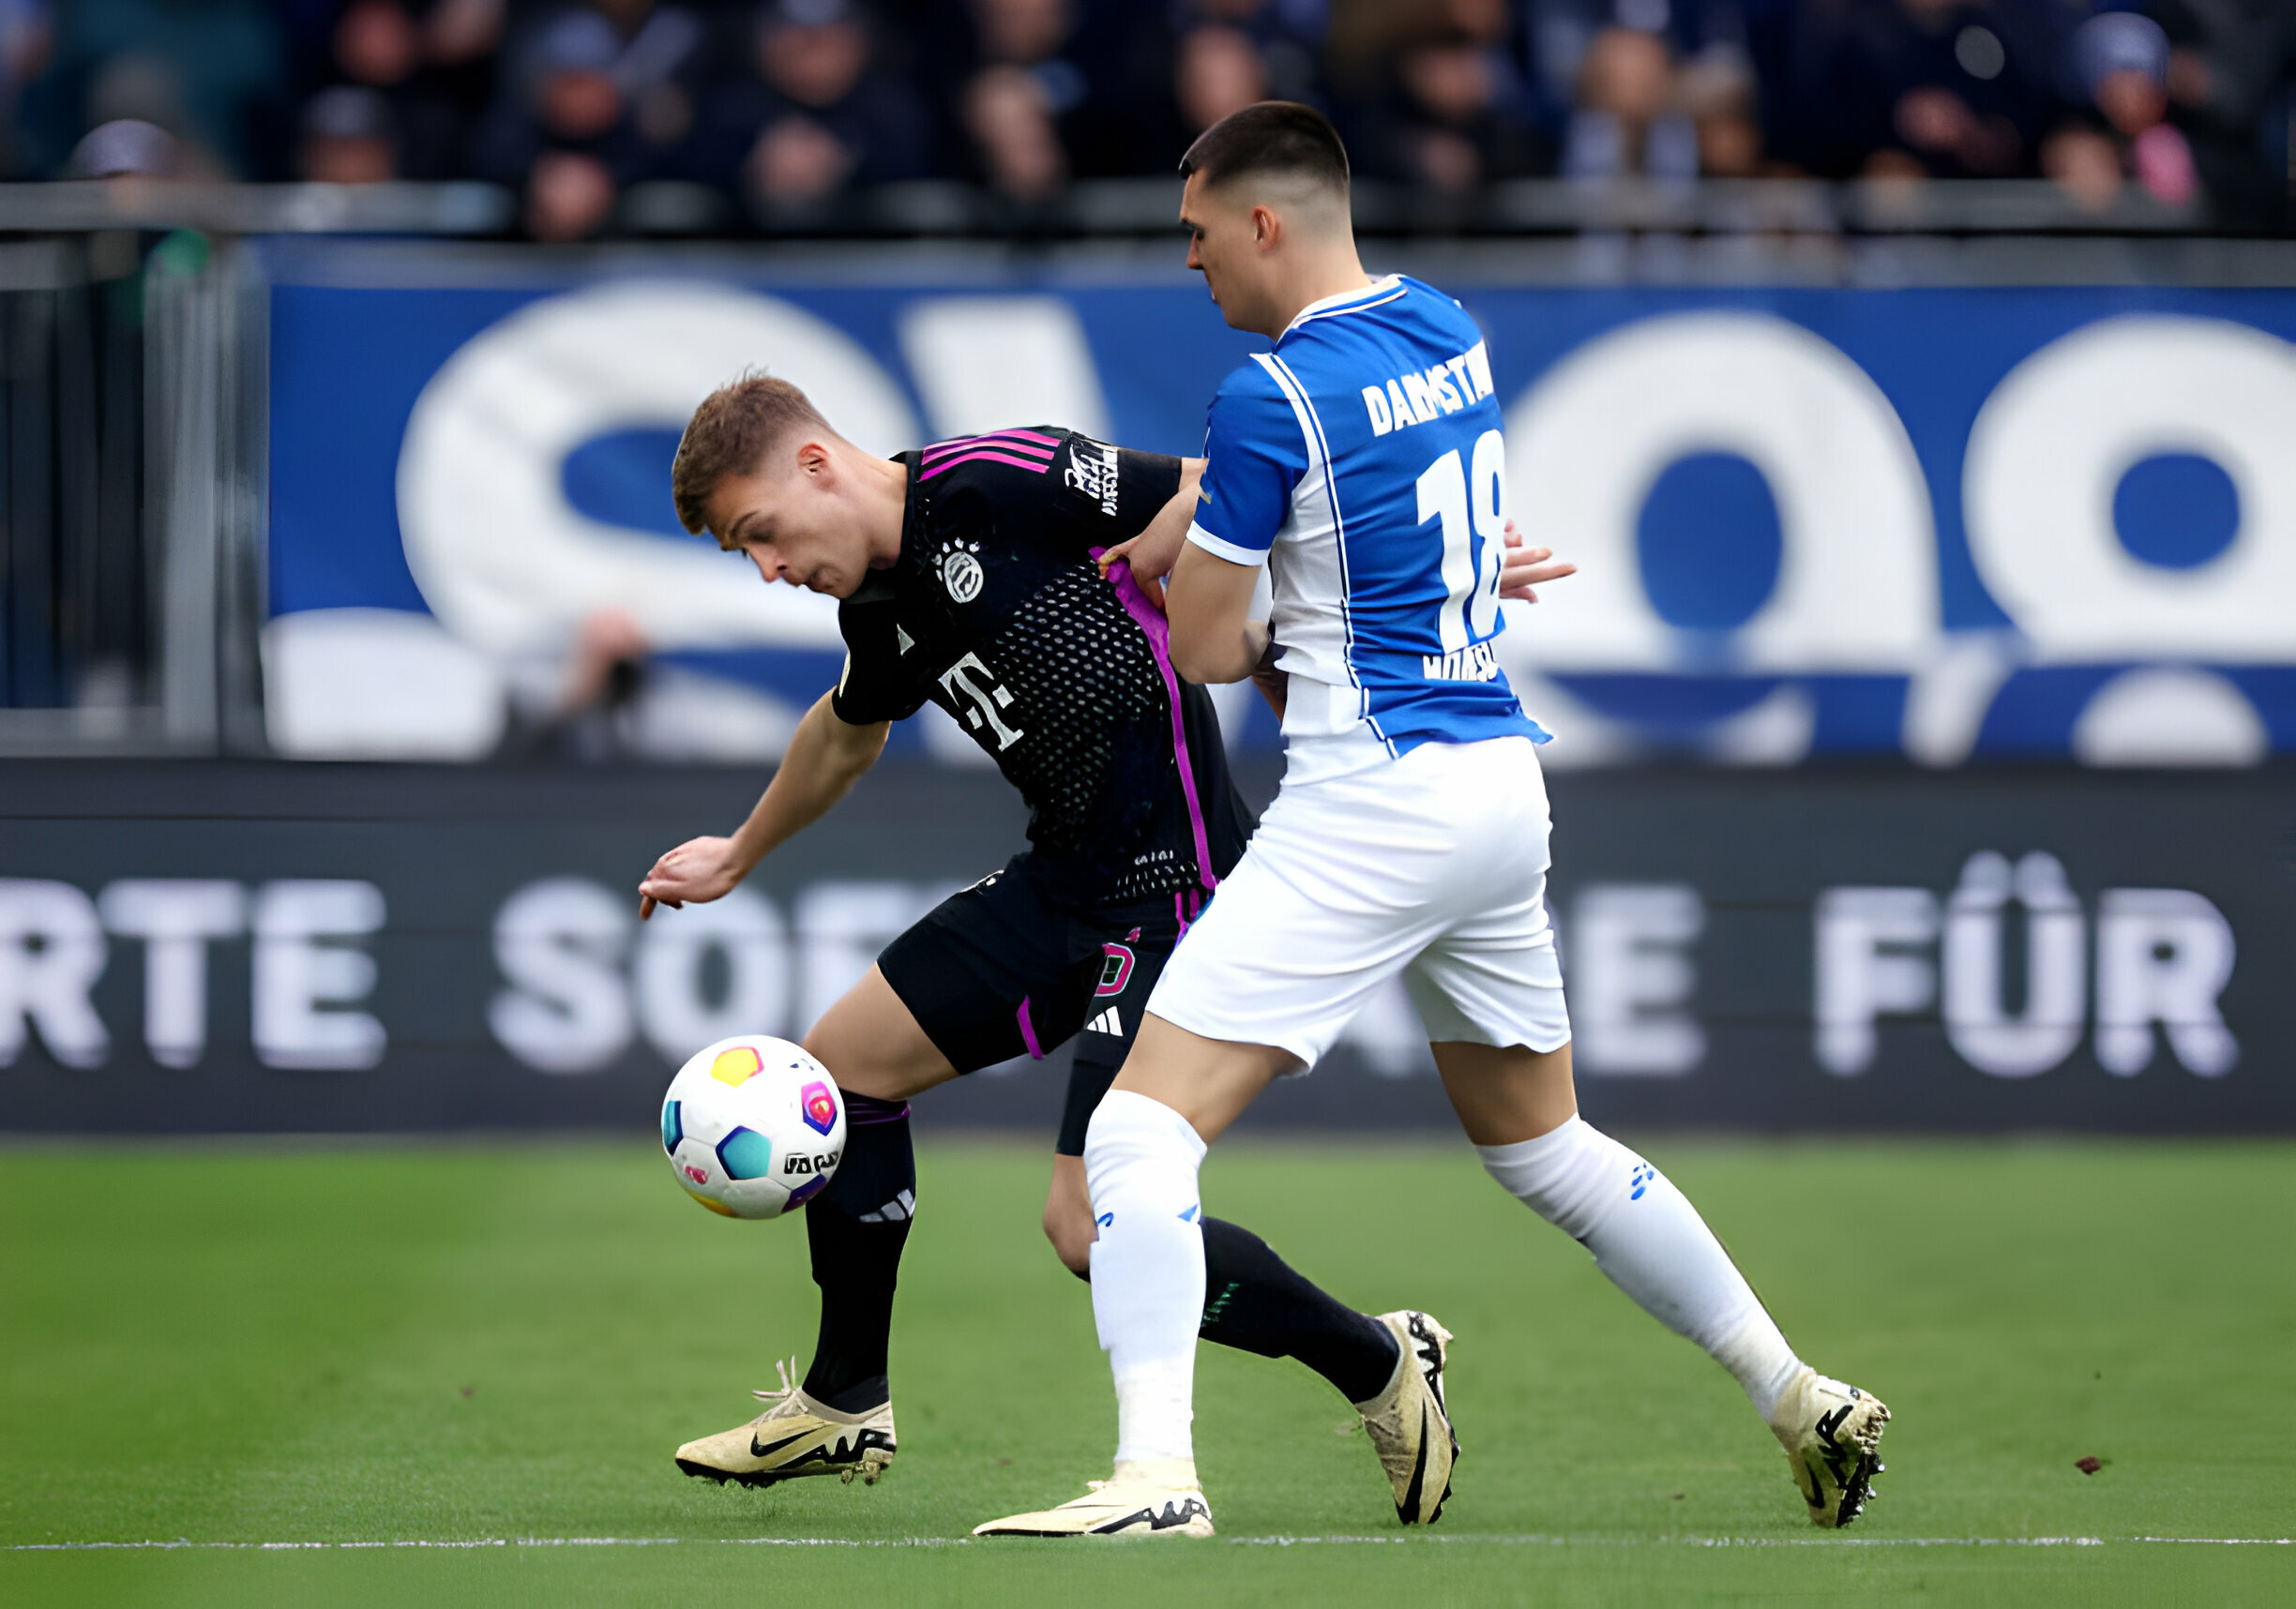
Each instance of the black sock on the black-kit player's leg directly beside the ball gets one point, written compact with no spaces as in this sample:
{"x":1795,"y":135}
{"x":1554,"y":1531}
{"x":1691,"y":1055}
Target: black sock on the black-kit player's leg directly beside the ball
{"x":855,"y":1231}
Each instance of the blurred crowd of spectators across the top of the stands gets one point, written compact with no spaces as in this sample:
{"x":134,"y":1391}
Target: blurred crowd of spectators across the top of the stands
{"x":766,"y":111}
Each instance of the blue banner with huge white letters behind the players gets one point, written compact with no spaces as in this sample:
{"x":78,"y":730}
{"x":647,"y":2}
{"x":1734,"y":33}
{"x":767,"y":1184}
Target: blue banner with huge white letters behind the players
{"x":1948,"y":524}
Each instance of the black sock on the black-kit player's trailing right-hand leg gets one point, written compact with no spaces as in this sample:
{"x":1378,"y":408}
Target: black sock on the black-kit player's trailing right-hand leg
{"x":1255,"y":1303}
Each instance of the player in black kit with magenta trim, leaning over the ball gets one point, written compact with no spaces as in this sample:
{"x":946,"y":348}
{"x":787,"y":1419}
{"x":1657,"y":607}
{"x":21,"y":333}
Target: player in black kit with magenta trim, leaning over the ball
{"x":970,"y":577}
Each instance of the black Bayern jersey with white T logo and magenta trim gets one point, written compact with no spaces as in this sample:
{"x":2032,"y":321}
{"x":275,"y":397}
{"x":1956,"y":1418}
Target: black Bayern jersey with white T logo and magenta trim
{"x":1000,"y":616}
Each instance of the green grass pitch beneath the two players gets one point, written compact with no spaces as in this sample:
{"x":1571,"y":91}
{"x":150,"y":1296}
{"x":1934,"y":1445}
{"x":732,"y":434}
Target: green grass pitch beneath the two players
{"x":378,"y":1346}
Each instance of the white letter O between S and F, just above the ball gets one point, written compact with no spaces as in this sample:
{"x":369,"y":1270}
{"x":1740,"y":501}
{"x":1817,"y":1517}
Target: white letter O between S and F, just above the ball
{"x":674,"y":1000}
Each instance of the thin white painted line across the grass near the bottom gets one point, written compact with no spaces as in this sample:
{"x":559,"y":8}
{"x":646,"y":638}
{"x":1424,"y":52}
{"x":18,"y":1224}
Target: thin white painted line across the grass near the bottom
{"x":1234,"y":1541}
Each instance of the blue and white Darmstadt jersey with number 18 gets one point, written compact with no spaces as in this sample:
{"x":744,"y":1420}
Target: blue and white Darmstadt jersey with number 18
{"x":1363,"y":463}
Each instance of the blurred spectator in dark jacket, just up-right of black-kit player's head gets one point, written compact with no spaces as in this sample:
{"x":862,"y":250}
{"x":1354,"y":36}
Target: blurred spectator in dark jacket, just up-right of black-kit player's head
{"x":814,"y":114}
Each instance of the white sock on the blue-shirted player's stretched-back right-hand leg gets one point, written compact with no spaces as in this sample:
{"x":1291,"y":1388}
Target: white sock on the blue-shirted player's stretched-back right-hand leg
{"x":1652,"y":1245}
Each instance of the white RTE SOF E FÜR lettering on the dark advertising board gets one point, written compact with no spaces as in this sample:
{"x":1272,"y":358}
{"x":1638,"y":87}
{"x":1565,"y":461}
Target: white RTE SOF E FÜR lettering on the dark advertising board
{"x":582,"y":981}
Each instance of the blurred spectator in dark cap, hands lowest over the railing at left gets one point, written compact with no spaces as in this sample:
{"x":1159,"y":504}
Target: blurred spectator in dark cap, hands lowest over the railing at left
{"x":594,"y":100}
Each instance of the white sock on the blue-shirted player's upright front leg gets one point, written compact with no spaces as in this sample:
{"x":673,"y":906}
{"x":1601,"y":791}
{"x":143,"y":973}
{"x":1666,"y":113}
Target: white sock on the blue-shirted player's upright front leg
{"x":1140,"y":1165}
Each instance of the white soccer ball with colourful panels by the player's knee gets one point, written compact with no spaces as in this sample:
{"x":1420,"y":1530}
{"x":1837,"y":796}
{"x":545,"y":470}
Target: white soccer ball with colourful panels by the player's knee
{"x":754,"y":1128}
